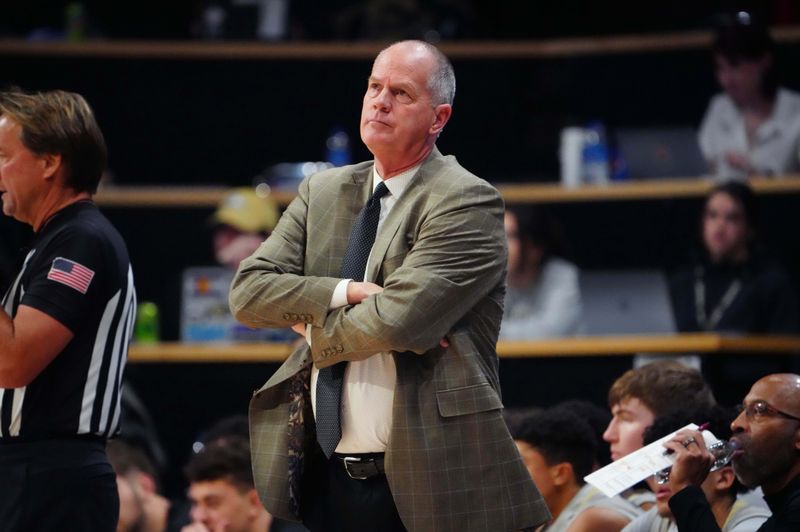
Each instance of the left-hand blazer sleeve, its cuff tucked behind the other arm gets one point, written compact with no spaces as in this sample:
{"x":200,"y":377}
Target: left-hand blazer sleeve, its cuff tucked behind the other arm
{"x":269,"y":288}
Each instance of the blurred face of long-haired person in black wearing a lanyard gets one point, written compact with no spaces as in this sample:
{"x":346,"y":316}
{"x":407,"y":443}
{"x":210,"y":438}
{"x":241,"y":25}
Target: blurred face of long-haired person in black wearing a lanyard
{"x":725,"y":231}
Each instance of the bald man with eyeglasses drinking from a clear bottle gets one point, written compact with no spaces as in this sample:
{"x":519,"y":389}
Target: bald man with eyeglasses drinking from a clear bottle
{"x":767,"y":435}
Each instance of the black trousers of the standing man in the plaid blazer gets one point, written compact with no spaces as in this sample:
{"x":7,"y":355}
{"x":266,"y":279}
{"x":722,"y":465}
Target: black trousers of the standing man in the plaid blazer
{"x":334,"y":502}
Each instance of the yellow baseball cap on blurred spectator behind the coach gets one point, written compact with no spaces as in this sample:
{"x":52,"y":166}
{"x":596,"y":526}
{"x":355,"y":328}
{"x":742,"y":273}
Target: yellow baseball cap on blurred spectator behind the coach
{"x":243,"y":209}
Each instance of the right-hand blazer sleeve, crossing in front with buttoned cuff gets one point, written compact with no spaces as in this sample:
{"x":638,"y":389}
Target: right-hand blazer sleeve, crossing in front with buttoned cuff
{"x":457,"y":258}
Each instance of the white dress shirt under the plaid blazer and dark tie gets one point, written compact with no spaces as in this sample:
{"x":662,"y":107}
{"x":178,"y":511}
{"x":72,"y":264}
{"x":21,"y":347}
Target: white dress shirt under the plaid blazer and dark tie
{"x":368,"y":388}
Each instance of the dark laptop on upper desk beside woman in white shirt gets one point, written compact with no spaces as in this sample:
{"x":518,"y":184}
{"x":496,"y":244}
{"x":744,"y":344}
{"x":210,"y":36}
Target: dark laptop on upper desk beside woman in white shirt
{"x":657,"y":153}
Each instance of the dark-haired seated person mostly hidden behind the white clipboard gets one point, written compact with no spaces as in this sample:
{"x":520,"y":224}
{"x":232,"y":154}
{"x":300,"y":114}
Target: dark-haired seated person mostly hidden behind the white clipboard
{"x":721,"y":489}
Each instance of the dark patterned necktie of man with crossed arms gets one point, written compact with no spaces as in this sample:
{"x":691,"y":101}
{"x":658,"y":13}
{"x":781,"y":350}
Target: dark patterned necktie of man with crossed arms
{"x":329,"y":381}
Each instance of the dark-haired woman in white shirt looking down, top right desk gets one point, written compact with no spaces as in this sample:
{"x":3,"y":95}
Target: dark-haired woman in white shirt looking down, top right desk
{"x":753,"y":127}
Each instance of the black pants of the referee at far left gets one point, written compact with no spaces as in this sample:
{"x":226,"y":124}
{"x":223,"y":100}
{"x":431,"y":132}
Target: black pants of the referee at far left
{"x":57,"y":485}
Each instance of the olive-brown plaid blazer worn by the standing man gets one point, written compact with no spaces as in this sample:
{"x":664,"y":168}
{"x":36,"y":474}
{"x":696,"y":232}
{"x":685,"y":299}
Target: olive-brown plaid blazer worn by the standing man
{"x":441,"y":258}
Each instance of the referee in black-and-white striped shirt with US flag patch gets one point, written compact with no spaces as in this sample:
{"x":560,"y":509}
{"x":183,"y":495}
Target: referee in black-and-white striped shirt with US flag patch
{"x":65,"y":324}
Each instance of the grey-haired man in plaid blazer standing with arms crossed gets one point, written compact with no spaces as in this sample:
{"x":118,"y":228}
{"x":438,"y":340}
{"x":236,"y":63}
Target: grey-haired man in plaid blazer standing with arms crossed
{"x":423,"y":445}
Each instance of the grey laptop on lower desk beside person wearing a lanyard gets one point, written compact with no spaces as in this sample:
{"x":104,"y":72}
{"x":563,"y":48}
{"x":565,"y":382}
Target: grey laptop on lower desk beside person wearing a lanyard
{"x":626,"y":302}
